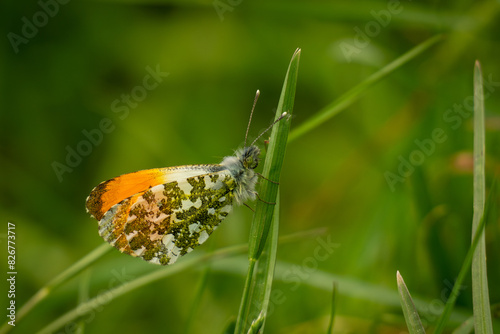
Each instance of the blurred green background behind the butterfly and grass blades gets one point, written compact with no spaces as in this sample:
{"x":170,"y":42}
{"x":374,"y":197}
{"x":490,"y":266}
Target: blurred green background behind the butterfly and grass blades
{"x":68,"y":67}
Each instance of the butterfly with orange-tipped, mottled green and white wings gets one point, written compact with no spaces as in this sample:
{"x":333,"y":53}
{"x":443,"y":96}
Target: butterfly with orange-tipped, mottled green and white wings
{"x":161,"y":214}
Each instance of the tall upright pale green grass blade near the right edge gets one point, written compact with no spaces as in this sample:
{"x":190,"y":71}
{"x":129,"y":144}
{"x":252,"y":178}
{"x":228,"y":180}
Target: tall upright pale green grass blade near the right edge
{"x":480,"y":295}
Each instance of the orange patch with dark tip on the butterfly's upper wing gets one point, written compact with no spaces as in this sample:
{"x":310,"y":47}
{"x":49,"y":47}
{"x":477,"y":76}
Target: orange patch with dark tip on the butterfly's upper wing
{"x":113,"y":191}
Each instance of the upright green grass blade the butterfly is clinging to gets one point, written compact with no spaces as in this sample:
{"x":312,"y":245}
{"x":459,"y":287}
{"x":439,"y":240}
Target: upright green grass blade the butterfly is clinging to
{"x":268,"y":190}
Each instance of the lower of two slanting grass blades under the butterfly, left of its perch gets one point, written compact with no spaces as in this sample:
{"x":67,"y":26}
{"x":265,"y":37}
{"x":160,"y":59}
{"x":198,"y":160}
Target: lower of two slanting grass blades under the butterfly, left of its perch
{"x":107,"y":296}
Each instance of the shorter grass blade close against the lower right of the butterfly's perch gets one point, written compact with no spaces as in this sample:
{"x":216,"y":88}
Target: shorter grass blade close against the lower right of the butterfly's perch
{"x":261,"y":292}
